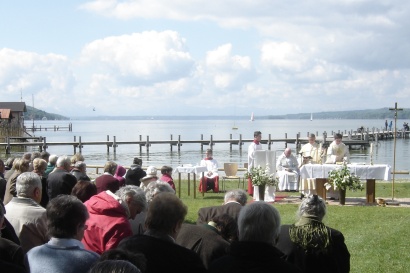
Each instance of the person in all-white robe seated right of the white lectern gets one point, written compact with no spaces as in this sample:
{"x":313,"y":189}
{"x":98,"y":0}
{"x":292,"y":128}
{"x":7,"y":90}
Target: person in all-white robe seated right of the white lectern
{"x":287,"y":170}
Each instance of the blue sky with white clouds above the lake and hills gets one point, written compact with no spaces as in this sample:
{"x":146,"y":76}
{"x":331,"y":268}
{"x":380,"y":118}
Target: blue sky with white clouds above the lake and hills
{"x":204,"y":57}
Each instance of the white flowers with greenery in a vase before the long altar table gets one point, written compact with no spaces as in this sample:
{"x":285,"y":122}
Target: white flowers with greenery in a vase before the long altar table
{"x":343,"y":179}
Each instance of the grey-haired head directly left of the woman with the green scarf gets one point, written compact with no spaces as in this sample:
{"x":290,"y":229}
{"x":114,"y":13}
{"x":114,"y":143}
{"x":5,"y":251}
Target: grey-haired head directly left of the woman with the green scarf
{"x":259,"y":222}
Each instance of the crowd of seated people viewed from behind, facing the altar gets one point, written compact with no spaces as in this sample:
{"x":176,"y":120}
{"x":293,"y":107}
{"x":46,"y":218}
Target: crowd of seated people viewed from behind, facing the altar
{"x":123,"y":225}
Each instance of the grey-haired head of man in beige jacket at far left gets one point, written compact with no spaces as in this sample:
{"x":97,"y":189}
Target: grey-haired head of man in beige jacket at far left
{"x":28,"y":185}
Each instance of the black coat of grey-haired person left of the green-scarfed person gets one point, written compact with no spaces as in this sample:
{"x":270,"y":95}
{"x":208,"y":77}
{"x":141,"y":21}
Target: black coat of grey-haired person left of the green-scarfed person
{"x":255,"y":257}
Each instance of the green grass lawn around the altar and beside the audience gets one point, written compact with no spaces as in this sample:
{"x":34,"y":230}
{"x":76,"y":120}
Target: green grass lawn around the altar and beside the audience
{"x":377,"y":237}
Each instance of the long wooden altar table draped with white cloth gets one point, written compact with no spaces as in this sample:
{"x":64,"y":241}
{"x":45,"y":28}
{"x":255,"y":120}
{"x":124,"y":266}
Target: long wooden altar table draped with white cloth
{"x":366,"y":172}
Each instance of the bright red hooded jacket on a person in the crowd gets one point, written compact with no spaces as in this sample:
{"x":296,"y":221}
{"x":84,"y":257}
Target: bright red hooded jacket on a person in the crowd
{"x":108,"y":223}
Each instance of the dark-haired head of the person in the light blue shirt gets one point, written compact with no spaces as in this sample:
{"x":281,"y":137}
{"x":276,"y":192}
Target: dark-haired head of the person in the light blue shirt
{"x":66,"y":217}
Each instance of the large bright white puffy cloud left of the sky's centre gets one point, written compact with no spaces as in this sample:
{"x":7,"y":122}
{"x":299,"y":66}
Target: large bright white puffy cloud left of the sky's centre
{"x":139,"y":58}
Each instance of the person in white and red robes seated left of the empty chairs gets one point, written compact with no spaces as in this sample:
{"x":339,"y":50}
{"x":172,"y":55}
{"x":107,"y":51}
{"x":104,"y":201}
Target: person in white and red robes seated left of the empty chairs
{"x":211,"y":177}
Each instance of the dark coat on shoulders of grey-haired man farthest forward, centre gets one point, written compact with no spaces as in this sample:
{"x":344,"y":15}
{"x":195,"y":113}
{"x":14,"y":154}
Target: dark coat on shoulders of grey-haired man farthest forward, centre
{"x":206,"y":214}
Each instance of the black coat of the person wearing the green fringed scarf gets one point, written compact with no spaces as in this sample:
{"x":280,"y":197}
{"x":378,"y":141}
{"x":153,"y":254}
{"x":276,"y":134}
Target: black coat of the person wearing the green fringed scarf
{"x":336,"y":260}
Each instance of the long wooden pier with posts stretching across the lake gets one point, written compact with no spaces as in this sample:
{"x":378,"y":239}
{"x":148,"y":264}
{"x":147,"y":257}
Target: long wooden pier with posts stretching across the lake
{"x":350,"y":138}
